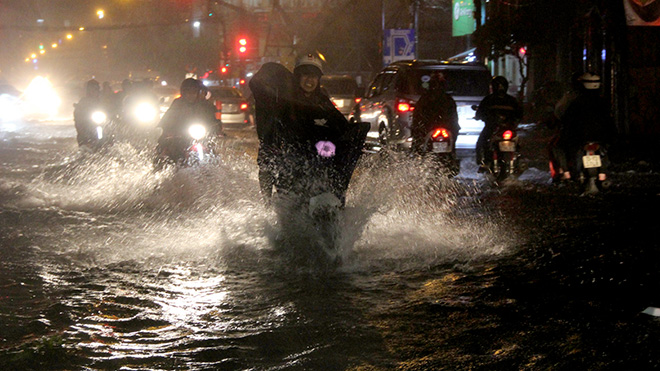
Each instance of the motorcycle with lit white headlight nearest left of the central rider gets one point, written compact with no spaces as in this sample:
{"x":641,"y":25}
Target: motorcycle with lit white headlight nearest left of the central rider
{"x":197,"y":145}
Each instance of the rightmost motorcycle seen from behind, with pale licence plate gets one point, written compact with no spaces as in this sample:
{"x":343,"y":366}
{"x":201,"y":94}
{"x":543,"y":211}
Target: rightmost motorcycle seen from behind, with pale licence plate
{"x":589,"y":165}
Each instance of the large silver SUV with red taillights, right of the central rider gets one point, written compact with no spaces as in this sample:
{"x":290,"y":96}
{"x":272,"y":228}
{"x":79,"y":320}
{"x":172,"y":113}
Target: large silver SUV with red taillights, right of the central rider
{"x":390,"y":100}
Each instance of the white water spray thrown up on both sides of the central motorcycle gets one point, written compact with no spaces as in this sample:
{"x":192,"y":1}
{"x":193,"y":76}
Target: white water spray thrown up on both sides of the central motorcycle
{"x":398,"y":211}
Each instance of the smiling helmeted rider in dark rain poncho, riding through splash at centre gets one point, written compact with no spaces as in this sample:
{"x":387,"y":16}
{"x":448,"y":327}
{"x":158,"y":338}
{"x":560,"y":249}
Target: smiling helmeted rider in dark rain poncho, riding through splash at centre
{"x":306,"y":141}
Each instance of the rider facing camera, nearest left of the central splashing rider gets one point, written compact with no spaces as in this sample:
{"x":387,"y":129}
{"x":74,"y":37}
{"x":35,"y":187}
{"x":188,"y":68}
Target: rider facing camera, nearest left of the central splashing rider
{"x":190,"y":106}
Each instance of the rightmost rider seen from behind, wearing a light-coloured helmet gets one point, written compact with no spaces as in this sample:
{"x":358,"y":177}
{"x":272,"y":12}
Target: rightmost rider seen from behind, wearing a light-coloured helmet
{"x":586,"y":119}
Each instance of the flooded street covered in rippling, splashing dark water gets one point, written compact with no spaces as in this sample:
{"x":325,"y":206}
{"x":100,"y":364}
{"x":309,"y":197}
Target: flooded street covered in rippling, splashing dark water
{"x":106,"y":264}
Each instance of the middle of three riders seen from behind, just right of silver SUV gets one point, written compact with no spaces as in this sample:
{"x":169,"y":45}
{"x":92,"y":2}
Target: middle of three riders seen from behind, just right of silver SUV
{"x":490,"y":110}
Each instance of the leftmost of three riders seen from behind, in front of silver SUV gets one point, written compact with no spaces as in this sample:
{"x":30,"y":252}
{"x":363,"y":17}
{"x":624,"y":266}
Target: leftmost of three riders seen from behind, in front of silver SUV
{"x":433,"y":104}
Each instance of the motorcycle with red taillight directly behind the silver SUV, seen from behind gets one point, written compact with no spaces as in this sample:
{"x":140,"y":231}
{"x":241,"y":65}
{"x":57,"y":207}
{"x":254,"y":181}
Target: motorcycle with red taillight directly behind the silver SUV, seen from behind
{"x":440,"y":144}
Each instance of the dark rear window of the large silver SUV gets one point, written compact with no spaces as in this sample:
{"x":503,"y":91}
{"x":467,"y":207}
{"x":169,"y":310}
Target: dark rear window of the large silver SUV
{"x":460,"y":82}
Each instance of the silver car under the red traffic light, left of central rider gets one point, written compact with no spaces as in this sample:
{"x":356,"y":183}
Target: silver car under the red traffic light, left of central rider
{"x":232,"y":107}
